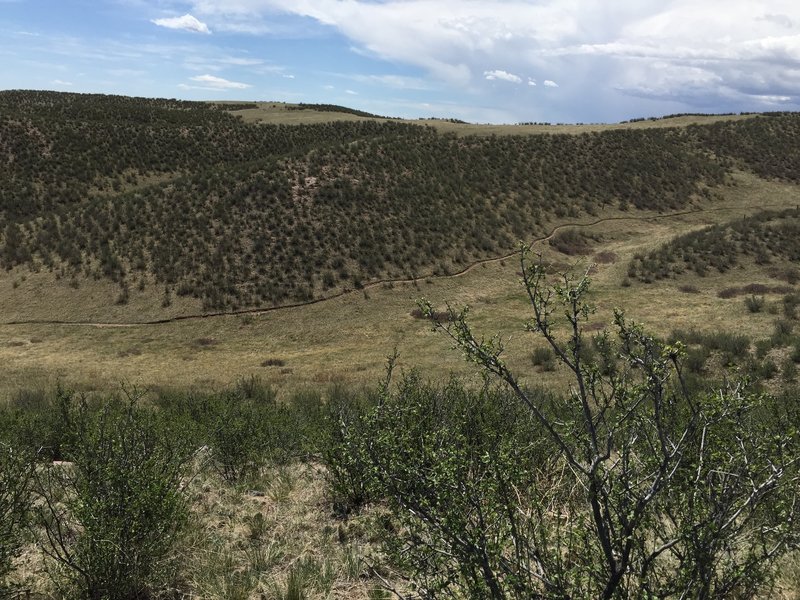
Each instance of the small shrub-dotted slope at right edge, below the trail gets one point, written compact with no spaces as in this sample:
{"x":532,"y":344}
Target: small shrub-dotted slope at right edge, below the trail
{"x":764,"y":238}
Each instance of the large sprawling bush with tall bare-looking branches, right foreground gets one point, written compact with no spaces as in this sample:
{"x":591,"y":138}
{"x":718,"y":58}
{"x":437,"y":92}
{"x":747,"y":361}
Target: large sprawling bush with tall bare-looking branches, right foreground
{"x":630,"y":486}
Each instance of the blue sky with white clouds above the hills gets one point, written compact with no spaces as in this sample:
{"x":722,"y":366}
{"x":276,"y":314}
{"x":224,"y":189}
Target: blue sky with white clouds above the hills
{"x":488,"y":61}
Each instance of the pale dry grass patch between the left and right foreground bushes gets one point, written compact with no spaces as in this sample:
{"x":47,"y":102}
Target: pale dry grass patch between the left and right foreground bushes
{"x":250,"y":542}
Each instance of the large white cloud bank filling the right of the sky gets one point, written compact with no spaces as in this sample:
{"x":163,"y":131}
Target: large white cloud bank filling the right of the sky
{"x":721,"y":54}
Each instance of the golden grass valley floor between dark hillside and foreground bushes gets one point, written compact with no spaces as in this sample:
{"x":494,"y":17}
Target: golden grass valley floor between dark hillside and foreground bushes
{"x":347,"y":339}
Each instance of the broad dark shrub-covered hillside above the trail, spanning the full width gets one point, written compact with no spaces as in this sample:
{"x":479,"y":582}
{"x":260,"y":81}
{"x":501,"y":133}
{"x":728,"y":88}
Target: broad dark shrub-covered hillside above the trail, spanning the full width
{"x":189,"y":197}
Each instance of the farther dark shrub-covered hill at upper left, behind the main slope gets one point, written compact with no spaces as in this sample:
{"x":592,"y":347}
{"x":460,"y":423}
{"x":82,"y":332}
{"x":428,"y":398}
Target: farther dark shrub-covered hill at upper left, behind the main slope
{"x":60,"y":149}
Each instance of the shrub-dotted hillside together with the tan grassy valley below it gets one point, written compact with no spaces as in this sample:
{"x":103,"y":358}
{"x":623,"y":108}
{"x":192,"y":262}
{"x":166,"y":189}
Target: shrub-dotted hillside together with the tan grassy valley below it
{"x":213,"y":214}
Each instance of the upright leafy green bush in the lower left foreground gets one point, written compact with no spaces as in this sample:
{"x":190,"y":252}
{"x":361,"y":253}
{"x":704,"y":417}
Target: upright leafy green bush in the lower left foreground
{"x":110,"y":516}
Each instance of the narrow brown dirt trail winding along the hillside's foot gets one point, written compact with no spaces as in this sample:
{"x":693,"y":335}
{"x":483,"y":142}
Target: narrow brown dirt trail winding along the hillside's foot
{"x":380,"y":282}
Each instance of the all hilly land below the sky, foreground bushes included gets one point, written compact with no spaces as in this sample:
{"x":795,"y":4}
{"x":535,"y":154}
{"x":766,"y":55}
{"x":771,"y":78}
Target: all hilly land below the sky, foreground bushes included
{"x":198,"y":301}
